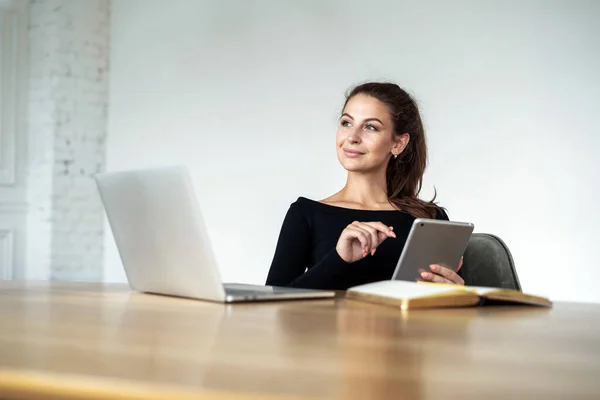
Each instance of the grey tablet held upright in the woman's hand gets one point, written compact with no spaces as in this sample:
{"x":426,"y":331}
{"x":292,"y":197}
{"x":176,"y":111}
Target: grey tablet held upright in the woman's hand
{"x":432,"y":241}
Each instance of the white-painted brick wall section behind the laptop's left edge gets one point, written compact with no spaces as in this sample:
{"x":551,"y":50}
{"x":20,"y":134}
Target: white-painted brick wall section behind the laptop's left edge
{"x":67,"y":114}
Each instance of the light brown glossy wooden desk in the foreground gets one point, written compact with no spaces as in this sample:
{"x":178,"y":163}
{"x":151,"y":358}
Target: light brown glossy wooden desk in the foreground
{"x":92,"y":341}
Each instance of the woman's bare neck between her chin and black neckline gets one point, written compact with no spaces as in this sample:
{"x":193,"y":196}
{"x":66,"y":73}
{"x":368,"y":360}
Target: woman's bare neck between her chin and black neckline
{"x":366,"y":189}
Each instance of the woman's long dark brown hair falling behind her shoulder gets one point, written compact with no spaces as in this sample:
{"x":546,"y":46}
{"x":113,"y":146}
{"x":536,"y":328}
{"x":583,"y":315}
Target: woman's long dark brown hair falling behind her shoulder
{"x":404,"y":175}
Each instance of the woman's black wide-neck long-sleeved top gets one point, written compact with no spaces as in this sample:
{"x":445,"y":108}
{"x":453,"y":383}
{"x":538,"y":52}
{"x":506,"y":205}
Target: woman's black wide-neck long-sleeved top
{"x":306,"y":257}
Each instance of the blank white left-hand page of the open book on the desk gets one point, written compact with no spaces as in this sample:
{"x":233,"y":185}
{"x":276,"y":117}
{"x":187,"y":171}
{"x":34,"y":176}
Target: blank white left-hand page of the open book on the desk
{"x":403,"y":289}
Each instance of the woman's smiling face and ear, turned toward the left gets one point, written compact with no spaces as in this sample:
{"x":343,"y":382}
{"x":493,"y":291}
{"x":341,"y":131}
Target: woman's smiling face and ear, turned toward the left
{"x":365,"y":138}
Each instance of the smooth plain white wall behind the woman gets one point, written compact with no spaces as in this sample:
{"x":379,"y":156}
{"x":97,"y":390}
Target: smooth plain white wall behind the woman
{"x":247,"y":94}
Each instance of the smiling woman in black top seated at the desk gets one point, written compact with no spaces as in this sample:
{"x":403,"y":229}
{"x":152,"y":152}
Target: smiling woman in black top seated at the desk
{"x":356,"y":235}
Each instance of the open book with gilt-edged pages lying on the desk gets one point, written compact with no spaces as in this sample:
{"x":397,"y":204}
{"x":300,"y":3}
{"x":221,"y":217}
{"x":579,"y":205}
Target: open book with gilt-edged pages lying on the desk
{"x":409,"y":295}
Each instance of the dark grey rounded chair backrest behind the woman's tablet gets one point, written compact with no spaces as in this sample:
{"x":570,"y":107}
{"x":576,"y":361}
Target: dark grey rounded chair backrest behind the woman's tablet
{"x":488,"y":262}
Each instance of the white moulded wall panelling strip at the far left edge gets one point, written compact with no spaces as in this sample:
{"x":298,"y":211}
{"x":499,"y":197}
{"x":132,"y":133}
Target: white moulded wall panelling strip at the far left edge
{"x":13,"y":155}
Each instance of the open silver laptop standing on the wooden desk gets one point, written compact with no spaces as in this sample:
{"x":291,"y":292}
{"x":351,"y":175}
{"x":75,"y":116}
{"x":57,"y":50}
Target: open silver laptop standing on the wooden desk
{"x":163,"y":242}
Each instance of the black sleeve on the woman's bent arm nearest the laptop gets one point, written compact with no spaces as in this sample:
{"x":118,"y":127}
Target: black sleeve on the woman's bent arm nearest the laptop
{"x":293,"y":254}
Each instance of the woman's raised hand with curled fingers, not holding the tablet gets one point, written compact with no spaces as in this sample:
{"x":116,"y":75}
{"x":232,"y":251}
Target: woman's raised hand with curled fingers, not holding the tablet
{"x":360,"y":239}
